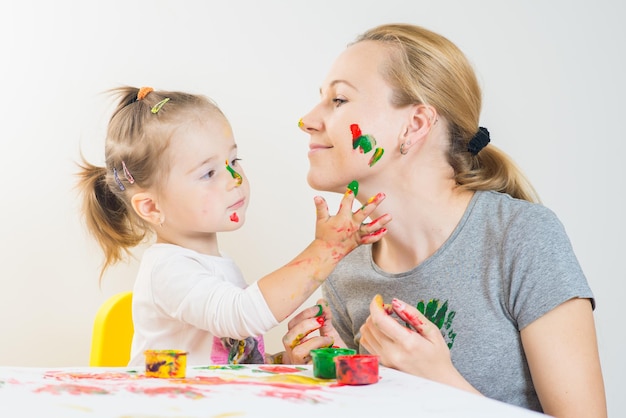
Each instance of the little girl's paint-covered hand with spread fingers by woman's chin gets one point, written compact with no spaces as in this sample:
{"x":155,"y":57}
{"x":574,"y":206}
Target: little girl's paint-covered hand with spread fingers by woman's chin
{"x":345,"y":231}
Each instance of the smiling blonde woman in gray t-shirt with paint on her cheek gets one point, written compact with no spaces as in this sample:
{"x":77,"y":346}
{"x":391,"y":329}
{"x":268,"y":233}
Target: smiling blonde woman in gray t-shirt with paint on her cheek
{"x":482,"y":272}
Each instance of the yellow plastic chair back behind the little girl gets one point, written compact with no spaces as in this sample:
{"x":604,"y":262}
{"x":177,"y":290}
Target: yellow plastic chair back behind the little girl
{"x":113,"y":332}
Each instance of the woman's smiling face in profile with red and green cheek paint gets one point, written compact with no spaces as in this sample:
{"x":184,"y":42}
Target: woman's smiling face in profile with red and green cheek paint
{"x":354,"y":121}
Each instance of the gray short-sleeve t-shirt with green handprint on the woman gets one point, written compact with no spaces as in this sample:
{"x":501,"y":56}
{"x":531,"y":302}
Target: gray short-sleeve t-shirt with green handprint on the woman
{"x":507,"y":263}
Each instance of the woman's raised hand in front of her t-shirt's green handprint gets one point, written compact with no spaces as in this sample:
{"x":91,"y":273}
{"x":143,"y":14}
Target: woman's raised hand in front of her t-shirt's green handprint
{"x":419,"y":349}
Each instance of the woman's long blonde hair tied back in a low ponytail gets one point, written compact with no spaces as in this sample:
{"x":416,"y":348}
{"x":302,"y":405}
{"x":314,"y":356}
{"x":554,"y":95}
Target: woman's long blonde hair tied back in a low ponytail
{"x":427,"y":68}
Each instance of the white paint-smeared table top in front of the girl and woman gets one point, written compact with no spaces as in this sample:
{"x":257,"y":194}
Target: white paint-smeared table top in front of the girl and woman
{"x":224,"y":391}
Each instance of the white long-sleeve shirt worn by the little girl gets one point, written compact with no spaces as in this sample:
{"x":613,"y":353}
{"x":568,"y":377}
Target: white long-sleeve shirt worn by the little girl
{"x":185,"y":300}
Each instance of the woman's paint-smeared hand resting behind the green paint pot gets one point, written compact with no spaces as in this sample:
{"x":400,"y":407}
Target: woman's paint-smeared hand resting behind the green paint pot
{"x":297,"y":342}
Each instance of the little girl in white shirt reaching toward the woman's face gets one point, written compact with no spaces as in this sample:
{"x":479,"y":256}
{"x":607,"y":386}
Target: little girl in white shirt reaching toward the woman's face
{"x":172,"y":170}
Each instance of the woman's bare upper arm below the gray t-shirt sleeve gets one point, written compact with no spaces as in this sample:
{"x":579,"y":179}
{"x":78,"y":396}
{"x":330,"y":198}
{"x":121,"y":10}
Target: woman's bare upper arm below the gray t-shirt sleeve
{"x":562,"y":353}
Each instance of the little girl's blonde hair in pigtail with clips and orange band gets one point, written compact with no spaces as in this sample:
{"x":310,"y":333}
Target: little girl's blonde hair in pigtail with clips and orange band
{"x":138,"y":136}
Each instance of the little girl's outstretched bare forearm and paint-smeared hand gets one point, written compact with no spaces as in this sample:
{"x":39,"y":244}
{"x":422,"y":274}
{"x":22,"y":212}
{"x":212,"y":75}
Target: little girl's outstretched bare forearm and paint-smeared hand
{"x":287,"y":288}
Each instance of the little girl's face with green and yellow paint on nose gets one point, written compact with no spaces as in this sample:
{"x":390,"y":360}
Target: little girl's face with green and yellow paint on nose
{"x":202,"y":195}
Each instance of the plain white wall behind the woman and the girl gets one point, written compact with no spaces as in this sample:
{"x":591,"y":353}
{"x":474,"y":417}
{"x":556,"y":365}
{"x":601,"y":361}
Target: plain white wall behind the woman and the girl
{"x":553,"y":74}
